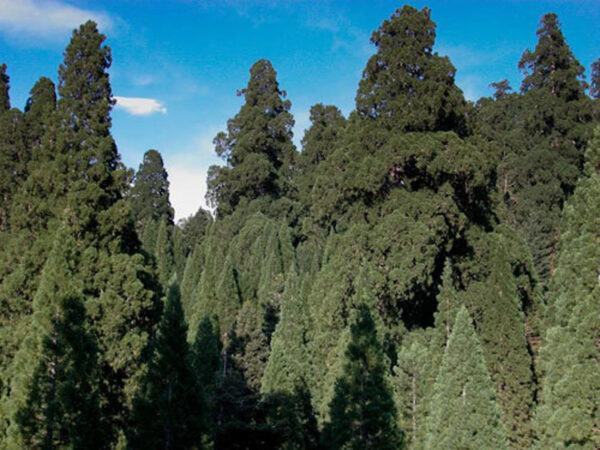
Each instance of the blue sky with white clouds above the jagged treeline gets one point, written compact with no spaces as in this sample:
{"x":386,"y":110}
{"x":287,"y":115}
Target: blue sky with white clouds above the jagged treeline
{"x":177,"y":64}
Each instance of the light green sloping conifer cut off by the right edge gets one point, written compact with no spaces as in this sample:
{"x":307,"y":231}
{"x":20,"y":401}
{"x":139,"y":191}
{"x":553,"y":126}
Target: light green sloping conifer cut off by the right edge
{"x":568,"y":414}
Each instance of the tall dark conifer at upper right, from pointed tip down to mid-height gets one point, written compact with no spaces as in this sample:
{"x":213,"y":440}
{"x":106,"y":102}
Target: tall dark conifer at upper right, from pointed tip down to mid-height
{"x":548,"y":160}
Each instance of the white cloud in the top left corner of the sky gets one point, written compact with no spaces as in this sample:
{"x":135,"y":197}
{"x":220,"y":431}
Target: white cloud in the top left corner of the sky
{"x":46,"y":18}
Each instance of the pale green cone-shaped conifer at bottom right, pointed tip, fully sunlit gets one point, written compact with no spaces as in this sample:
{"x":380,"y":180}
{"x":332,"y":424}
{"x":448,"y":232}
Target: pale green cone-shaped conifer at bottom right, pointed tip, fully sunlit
{"x":464,"y":413}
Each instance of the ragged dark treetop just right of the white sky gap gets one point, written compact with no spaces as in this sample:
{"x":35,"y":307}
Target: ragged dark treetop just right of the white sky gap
{"x":257,"y":146}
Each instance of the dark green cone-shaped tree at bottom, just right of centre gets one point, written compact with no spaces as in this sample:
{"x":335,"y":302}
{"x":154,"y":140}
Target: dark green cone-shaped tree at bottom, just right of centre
{"x":362,"y":411}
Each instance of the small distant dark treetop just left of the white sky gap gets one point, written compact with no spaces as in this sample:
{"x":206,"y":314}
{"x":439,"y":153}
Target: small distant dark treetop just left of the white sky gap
{"x":149,"y":195}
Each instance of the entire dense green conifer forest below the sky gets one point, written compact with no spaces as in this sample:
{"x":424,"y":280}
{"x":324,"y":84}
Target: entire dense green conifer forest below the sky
{"x":422,"y":274}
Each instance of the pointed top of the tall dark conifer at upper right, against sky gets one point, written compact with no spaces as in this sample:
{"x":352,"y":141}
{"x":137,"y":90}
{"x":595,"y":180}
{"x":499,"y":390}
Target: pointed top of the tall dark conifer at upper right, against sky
{"x":552,"y":65}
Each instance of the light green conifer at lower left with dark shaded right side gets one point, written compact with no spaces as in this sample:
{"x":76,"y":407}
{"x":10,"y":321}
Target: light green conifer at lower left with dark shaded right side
{"x":54,"y":397}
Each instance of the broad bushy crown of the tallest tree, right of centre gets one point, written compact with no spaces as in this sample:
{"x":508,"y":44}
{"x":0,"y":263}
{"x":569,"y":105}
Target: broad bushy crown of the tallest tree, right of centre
{"x":405,"y":85}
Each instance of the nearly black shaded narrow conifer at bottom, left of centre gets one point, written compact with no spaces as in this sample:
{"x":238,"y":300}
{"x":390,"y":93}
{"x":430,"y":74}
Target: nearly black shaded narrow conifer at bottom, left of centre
{"x":169,"y":408}
